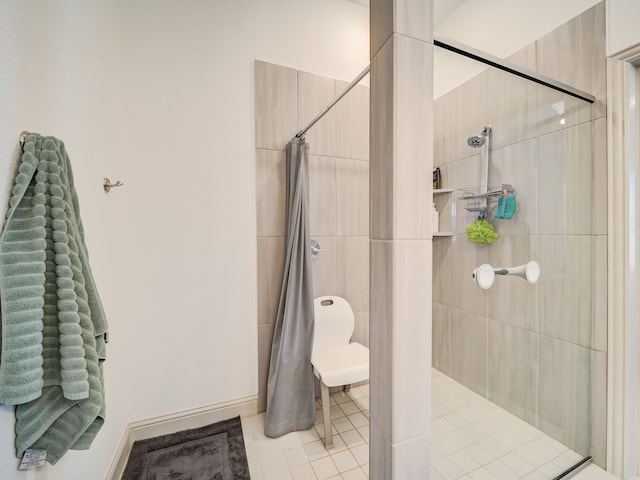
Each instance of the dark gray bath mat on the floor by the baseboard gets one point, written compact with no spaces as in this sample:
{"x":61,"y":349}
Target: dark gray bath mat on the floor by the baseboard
{"x":214,"y":452}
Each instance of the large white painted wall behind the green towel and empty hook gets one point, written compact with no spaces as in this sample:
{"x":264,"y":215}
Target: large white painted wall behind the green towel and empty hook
{"x":160,"y":95}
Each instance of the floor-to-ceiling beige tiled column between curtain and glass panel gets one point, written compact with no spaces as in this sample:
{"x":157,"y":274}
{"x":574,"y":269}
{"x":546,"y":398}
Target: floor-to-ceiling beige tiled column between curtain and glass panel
{"x":400,"y":230}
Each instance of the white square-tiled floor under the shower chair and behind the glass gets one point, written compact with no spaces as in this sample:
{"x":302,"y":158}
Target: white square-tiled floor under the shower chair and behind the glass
{"x":473,"y":439}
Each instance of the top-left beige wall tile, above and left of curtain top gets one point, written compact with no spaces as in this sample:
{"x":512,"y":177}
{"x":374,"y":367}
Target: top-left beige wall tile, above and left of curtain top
{"x":276,"y":105}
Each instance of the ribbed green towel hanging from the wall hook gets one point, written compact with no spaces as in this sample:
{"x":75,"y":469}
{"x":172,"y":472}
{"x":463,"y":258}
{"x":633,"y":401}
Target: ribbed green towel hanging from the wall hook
{"x":53,"y":324}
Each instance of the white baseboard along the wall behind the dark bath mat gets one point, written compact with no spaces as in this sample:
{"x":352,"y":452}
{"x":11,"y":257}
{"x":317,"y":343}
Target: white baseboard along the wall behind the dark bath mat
{"x":175,"y":422}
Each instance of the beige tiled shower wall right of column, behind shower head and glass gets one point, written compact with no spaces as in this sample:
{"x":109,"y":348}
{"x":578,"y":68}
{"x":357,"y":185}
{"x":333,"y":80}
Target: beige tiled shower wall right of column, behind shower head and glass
{"x":539,"y":351}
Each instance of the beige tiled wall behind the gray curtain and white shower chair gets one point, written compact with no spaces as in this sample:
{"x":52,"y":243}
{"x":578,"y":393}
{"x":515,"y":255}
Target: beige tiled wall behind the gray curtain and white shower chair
{"x":286,"y":101}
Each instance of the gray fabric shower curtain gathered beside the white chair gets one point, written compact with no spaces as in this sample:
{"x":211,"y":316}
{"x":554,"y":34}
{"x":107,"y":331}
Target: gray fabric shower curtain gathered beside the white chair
{"x":290,"y":396}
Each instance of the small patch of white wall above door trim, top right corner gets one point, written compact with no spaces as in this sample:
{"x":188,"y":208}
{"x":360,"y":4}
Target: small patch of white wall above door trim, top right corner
{"x":623,"y":25}
